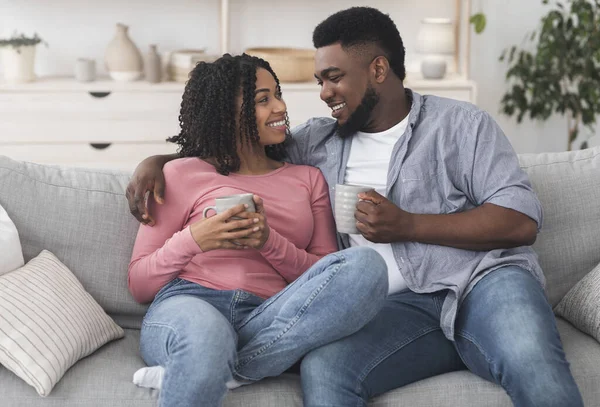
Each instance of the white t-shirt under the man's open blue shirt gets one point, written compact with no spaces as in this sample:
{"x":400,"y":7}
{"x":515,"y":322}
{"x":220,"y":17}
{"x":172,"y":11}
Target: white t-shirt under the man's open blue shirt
{"x":368,"y":164}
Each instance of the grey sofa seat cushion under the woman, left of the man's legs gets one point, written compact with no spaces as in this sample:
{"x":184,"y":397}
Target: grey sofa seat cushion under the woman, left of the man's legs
{"x":104,"y":379}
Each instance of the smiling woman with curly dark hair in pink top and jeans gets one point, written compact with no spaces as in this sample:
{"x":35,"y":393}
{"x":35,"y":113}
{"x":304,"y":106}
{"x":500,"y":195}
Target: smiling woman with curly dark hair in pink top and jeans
{"x":242,"y":299}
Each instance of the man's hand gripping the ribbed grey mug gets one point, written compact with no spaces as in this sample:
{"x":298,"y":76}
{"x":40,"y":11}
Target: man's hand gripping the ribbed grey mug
{"x":381,"y":221}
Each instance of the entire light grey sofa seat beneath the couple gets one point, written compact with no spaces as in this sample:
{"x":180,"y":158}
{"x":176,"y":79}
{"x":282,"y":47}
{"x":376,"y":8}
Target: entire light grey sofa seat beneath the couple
{"x":104,"y":379}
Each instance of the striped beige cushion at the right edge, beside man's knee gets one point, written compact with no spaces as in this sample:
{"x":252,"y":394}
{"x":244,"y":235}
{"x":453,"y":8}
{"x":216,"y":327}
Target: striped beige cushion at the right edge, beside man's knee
{"x":581,"y":305}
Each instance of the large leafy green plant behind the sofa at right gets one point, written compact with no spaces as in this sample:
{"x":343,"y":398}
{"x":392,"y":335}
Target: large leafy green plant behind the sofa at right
{"x":560,"y":71}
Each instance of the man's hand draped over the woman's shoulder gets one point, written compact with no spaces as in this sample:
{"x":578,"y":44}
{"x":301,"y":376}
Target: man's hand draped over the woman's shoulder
{"x":147,"y":177}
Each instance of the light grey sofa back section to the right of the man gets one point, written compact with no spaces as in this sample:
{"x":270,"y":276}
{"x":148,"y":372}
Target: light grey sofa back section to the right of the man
{"x":568,"y":186}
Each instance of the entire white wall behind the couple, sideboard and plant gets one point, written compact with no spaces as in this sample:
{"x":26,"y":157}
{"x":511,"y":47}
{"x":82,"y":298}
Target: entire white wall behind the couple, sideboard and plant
{"x":78,"y":28}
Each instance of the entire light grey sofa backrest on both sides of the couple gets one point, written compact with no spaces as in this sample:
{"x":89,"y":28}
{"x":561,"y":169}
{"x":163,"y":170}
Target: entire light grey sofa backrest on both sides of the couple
{"x":82,"y":217}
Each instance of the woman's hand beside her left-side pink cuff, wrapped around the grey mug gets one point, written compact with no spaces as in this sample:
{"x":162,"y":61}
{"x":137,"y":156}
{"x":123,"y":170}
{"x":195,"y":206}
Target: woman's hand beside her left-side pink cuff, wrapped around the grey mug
{"x":220,"y":231}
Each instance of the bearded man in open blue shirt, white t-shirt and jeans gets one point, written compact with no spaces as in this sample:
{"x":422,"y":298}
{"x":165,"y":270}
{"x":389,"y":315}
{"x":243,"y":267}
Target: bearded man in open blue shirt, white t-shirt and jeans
{"x":453,"y":215}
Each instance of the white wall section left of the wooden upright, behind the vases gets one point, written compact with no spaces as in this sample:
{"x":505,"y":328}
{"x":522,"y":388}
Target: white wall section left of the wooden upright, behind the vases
{"x":83,"y":28}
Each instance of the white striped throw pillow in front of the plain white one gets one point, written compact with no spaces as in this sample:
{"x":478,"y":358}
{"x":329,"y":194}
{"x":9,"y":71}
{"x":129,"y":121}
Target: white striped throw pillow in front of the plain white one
{"x":48,"y":322}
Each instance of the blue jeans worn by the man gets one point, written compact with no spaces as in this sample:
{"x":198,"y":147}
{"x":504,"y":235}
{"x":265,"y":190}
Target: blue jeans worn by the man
{"x":505,"y":333}
